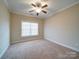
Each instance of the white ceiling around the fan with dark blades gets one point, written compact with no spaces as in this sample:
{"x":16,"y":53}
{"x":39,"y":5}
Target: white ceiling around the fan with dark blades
{"x":22,"y":7}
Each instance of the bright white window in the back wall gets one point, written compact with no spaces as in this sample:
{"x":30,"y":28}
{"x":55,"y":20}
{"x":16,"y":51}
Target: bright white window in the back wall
{"x":29,"y":29}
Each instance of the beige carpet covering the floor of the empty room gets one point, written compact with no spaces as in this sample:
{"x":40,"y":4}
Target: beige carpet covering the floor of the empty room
{"x":39,"y":49}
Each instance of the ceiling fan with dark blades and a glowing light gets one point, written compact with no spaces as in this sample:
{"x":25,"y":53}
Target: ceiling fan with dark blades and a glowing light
{"x":39,"y":7}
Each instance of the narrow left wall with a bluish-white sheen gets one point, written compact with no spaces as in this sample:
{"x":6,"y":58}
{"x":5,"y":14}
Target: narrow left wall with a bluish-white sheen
{"x":4,"y":28}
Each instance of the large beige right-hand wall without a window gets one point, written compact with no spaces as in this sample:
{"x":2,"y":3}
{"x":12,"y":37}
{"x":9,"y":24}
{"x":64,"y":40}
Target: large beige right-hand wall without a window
{"x":63,"y":28}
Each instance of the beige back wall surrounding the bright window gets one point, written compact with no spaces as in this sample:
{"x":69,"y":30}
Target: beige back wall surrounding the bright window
{"x":16,"y":28}
